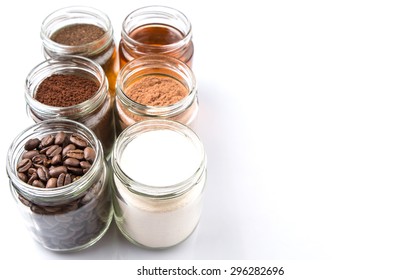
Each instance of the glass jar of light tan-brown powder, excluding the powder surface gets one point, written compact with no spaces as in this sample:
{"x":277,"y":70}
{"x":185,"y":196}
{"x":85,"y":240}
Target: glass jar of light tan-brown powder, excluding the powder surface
{"x":129,"y":111}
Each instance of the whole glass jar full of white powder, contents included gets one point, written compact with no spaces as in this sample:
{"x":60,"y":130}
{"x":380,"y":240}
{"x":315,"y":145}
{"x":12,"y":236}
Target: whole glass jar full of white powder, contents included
{"x":158,"y":199}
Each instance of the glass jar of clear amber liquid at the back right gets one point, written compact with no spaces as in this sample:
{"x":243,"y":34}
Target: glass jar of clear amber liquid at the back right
{"x":156,"y":30}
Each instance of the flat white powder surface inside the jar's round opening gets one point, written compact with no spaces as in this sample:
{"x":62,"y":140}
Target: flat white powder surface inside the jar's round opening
{"x":160,"y":158}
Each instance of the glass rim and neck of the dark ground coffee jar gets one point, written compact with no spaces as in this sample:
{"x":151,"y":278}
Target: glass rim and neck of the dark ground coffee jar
{"x":66,"y":64}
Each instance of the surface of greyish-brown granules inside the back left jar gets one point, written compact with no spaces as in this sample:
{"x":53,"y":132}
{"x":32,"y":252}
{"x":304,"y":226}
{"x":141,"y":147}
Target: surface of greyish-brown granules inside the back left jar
{"x":77,"y":34}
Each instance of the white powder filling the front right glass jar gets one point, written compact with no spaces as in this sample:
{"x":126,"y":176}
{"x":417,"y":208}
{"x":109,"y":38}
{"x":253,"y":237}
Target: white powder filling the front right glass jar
{"x":159,"y":158}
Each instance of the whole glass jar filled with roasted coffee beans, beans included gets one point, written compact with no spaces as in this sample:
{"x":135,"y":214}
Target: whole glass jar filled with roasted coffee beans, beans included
{"x":69,"y":216}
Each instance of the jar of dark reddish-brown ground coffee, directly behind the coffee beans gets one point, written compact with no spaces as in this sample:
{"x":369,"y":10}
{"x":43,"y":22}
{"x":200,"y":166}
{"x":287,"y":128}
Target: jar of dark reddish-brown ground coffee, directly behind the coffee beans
{"x":75,"y":88}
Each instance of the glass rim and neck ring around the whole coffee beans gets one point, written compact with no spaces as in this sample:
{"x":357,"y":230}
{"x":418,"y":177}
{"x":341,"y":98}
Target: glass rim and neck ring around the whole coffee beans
{"x":43,"y":196}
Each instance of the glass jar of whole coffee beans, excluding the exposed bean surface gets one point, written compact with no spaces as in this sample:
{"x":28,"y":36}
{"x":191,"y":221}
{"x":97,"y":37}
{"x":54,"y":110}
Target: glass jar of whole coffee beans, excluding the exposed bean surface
{"x":67,"y":218}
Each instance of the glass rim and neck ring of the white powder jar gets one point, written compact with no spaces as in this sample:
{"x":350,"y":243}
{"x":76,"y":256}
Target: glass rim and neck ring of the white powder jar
{"x":154,"y":191}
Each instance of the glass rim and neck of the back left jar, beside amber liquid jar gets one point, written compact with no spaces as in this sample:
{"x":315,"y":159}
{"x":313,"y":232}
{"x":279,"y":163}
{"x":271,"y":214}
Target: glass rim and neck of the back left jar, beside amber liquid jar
{"x":76,"y":15}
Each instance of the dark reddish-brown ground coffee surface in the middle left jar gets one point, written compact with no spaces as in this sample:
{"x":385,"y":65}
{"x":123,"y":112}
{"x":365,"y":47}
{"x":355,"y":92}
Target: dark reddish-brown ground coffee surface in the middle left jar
{"x":61,"y":90}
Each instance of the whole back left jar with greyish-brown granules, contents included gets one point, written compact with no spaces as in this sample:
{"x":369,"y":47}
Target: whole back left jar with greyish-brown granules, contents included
{"x":82,"y":31}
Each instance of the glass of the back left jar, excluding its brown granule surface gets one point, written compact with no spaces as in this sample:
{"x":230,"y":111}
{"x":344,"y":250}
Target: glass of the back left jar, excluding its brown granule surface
{"x":103,"y":50}
